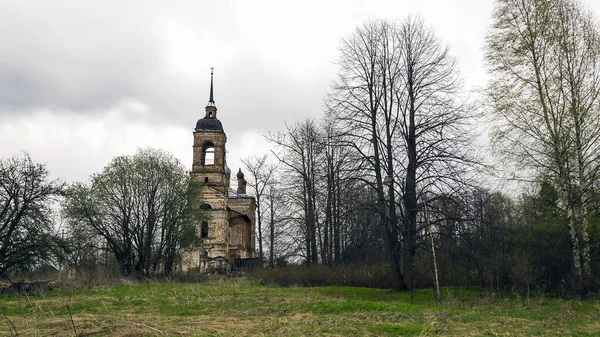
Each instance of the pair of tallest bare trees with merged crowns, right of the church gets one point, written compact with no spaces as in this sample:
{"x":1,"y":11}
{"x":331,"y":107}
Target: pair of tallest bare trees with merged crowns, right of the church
{"x":398,"y":104}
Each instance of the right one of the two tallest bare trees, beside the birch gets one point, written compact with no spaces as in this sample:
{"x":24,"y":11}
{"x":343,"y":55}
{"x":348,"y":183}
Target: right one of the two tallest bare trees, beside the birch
{"x":435,"y":123}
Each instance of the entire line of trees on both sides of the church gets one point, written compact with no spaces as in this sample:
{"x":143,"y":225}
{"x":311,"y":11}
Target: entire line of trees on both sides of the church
{"x":391,"y":175}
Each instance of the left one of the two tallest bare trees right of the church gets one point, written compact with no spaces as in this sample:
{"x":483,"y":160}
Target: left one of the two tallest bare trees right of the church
{"x":365,"y":122}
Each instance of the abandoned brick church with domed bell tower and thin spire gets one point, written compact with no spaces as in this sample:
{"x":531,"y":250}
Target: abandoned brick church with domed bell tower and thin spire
{"x":228,"y":234}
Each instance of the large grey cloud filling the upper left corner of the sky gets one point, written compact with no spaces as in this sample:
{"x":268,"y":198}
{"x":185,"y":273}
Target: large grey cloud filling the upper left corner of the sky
{"x":80,"y":58}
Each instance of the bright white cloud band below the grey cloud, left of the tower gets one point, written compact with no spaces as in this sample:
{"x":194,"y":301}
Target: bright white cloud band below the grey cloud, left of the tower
{"x":76,"y":146}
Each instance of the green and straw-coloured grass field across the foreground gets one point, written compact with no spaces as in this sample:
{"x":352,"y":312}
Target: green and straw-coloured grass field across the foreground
{"x":239,"y":307}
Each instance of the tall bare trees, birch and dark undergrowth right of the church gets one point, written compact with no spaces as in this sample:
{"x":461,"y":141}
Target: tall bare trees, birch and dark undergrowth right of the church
{"x":392,"y":171}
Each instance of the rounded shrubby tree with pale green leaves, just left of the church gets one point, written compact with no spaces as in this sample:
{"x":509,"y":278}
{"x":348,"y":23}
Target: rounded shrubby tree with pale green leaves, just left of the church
{"x":144,"y":207}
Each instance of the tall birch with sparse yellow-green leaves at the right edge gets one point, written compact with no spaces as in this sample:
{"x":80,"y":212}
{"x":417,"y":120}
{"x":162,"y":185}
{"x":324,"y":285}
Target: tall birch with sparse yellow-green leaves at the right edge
{"x":544,"y":58}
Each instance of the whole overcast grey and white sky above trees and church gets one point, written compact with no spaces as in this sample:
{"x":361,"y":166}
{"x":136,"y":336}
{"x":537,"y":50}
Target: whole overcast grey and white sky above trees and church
{"x":84,"y":81}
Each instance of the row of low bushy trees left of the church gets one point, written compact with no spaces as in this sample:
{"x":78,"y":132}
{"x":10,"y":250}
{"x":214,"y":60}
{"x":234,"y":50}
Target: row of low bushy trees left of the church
{"x":138,"y":214}
